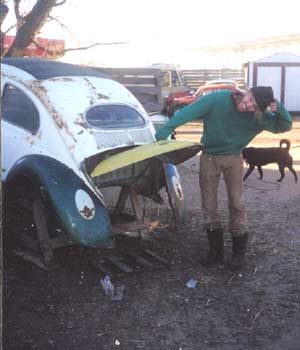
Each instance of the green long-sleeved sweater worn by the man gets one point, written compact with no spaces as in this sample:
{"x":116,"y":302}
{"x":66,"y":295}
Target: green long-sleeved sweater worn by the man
{"x":225,"y":129}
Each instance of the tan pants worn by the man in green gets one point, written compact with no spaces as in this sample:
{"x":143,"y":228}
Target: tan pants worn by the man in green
{"x":211,"y":168}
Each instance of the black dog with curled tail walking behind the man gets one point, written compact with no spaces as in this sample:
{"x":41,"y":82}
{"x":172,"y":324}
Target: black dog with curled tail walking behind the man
{"x":263,"y":156}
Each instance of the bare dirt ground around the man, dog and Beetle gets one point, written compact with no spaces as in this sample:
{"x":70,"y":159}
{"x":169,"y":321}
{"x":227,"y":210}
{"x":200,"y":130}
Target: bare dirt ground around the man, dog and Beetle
{"x":258,"y":308}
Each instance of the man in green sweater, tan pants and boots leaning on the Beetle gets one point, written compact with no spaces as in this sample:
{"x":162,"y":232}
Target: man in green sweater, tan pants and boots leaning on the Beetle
{"x":230,"y":121}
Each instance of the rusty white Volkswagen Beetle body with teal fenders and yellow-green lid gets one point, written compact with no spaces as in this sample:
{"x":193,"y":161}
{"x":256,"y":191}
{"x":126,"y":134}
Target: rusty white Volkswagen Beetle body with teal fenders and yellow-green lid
{"x":60,"y":122}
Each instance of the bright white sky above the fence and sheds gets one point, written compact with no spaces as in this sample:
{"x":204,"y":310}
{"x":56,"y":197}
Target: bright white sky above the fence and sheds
{"x":165,"y":30}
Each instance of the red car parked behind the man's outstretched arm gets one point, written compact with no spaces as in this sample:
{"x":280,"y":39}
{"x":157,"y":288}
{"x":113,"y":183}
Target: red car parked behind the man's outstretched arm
{"x":182,"y":101}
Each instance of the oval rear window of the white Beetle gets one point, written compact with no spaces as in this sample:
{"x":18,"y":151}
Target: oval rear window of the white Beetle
{"x":114,"y":117}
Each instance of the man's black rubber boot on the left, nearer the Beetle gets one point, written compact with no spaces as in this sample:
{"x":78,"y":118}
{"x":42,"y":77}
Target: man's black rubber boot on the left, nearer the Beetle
{"x":215,"y":254}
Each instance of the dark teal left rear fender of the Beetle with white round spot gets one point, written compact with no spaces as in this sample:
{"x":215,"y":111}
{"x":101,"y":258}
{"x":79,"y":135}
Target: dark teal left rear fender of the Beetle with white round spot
{"x":80,"y":214}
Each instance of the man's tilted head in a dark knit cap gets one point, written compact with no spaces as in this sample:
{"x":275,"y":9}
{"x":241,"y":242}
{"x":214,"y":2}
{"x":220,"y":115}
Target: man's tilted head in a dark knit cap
{"x":257,"y":98}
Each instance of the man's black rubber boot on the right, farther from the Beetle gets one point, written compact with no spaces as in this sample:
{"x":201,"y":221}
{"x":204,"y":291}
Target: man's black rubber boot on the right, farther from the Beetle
{"x":239,"y":247}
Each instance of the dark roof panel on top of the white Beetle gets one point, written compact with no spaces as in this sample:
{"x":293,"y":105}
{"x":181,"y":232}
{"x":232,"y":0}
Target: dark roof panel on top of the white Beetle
{"x":45,"y":69}
